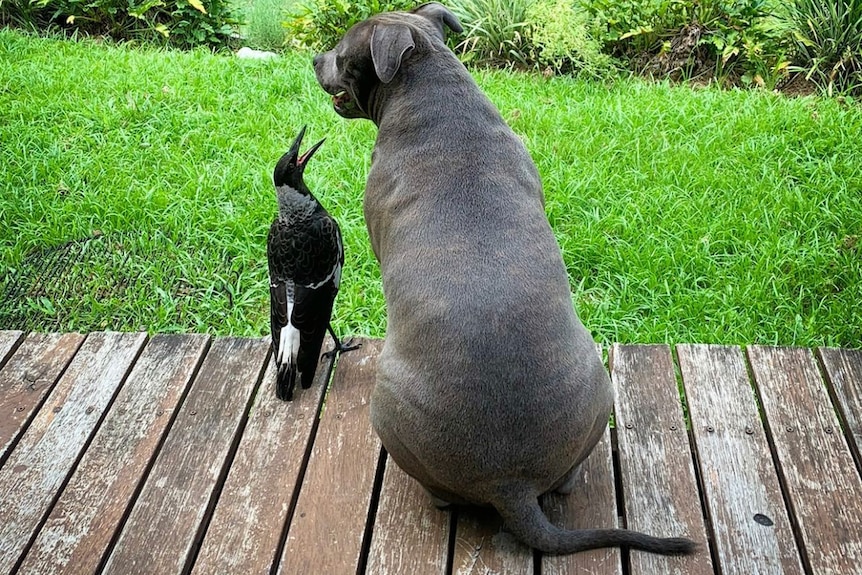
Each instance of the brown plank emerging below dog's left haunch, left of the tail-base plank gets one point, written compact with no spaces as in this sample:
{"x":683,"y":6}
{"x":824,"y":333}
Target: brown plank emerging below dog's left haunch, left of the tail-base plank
{"x":410,"y":534}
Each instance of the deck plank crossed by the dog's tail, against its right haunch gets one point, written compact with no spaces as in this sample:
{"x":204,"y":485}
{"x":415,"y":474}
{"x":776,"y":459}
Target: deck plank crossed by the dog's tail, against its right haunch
{"x":591,"y":505}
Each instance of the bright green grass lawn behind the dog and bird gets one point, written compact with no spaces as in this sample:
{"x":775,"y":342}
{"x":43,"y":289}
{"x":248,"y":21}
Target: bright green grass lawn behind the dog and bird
{"x":683,"y":215}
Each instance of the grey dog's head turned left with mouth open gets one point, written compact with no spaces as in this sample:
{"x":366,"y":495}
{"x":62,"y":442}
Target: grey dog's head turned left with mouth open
{"x":373,"y":51}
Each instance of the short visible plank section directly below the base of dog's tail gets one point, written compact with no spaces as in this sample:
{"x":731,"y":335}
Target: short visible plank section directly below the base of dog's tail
{"x":482,"y":547}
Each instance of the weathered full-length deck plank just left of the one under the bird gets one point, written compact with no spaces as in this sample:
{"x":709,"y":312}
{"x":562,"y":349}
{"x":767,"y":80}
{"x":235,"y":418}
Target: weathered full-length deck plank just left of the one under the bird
{"x":164,"y":525}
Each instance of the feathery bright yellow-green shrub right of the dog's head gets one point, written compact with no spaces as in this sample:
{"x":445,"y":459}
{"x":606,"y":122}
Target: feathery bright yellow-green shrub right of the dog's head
{"x":560,"y":37}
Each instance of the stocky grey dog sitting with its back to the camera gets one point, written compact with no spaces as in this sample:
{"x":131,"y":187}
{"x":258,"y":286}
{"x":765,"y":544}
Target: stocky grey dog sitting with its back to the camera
{"x":489,"y":389}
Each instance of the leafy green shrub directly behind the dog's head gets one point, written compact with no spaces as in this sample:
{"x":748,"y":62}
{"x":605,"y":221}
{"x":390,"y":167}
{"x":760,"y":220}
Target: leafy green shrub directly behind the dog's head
{"x":319,"y":24}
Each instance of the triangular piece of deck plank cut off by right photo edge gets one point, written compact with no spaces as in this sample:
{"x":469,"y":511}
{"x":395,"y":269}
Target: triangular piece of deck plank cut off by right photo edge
{"x":844,"y":372}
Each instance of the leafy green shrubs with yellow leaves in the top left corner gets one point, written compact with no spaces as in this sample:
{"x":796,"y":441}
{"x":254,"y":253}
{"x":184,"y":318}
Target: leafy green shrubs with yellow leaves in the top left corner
{"x":180,"y":23}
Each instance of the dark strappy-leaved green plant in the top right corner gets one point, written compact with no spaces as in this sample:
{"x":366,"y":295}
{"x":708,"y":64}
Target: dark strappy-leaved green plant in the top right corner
{"x":828,"y":38}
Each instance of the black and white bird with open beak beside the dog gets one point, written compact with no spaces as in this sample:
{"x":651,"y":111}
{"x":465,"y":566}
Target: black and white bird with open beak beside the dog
{"x":305,"y":256}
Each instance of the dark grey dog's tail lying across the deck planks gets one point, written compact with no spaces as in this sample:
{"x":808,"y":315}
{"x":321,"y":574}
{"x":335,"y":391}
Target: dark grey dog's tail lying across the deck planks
{"x":525,"y":519}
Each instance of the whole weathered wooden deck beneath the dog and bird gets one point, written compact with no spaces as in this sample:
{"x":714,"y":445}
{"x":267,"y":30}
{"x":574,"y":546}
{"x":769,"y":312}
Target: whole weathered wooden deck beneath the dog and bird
{"x":124,"y":454}
